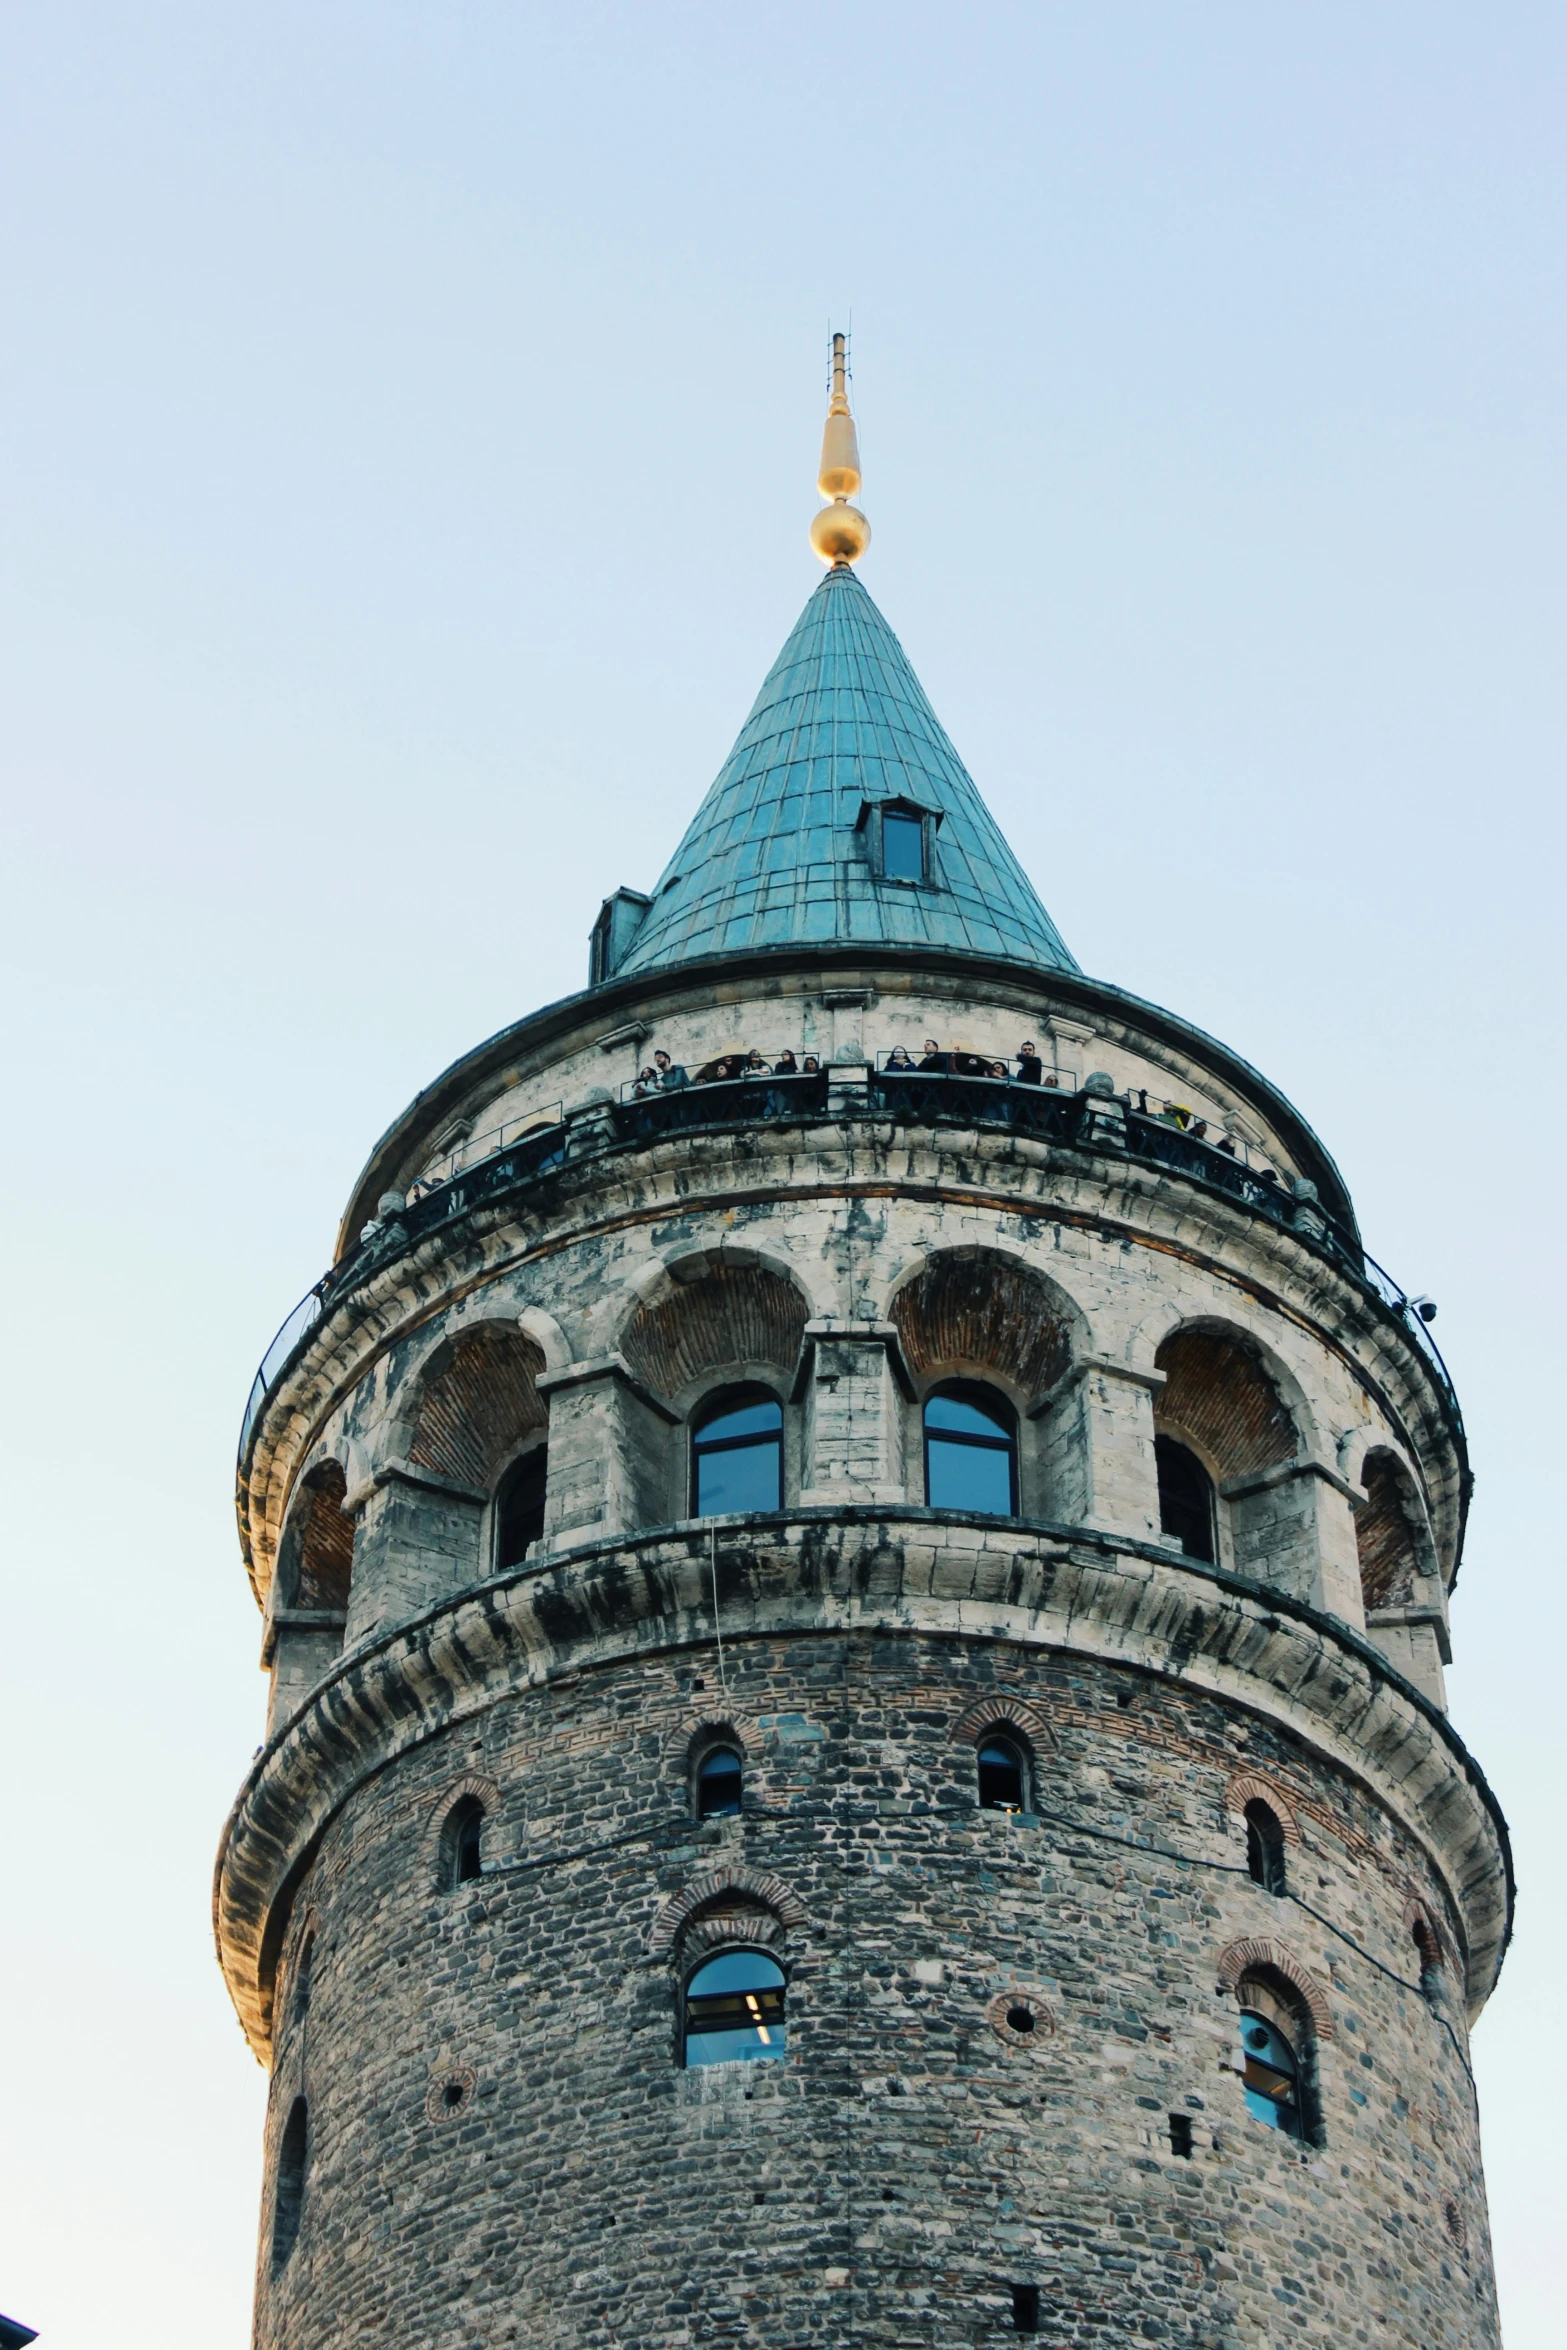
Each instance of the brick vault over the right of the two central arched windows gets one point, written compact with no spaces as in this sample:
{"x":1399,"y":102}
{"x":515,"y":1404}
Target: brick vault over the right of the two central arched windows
{"x":988,"y":1310}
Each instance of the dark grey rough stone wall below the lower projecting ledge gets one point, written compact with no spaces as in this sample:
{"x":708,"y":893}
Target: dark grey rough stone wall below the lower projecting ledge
{"x":910,"y":2161}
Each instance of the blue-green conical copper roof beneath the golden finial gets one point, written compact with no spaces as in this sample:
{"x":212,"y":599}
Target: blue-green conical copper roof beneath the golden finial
{"x":779,"y":852}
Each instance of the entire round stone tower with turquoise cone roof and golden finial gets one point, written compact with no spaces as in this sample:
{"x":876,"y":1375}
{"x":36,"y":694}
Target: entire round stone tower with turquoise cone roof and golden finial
{"x":856,"y":1644}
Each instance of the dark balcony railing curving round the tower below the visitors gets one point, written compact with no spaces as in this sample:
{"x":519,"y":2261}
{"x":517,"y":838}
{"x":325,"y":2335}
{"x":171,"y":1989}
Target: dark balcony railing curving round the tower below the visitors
{"x":1098,"y":1122}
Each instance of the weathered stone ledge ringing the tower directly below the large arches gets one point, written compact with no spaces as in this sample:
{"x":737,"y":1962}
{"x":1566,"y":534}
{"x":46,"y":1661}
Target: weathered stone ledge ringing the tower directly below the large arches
{"x":934,"y":1573}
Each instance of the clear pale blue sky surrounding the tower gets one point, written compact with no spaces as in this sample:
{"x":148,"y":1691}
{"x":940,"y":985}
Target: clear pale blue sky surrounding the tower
{"x":408,"y":438}
